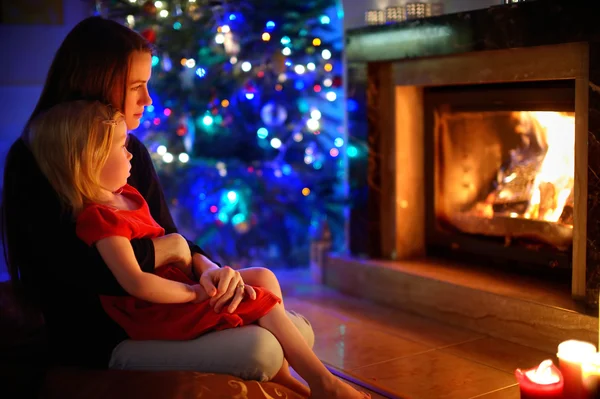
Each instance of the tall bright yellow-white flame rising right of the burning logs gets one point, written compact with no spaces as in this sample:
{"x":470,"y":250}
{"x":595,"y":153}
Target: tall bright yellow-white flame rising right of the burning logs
{"x":553,"y":184}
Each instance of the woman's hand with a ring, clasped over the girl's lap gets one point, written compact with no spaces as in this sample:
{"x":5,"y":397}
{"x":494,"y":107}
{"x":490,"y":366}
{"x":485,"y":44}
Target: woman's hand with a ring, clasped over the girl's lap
{"x":225,"y":287}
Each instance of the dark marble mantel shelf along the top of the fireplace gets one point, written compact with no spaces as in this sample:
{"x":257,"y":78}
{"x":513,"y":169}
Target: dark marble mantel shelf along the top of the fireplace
{"x":528,"y":24}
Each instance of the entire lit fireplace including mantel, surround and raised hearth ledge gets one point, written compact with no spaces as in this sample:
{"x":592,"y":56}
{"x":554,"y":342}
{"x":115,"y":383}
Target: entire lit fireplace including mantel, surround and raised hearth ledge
{"x":463,"y":112}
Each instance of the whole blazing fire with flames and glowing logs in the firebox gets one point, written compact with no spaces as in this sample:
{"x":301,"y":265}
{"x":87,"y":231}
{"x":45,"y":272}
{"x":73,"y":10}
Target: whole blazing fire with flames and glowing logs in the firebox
{"x":540,"y":171}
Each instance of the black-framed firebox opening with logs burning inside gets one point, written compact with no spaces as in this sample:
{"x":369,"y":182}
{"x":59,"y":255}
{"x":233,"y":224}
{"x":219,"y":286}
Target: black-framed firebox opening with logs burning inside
{"x":499,"y":167}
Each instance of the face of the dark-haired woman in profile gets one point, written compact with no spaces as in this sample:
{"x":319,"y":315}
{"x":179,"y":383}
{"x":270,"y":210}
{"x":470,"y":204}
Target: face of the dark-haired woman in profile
{"x":137,"y":96}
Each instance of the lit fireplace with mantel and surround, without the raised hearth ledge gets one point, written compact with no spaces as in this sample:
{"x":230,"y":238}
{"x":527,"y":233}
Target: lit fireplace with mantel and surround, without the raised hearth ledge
{"x":466,"y":133}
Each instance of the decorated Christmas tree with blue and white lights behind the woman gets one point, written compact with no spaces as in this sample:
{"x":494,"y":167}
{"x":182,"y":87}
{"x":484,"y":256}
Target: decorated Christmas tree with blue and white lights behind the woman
{"x":246,"y":126}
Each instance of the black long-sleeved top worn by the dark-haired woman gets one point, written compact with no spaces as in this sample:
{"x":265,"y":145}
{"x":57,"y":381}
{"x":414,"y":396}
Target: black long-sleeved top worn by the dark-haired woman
{"x":60,"y":272}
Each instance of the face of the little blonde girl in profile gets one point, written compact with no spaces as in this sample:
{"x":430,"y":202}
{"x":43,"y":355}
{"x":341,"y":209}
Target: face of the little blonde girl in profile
{"x":115,"y":172}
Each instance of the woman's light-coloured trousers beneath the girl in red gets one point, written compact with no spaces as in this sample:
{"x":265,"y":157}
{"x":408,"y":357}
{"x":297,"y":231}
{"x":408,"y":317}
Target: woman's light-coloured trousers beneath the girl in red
{"x":249,"y":352}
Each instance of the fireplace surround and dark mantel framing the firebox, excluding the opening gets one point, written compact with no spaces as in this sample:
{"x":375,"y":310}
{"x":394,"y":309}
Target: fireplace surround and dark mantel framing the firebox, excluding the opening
{"x":534,"y":41}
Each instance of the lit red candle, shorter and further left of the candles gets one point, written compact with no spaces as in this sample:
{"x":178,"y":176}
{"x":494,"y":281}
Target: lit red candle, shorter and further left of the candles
{"x":542,"y":382}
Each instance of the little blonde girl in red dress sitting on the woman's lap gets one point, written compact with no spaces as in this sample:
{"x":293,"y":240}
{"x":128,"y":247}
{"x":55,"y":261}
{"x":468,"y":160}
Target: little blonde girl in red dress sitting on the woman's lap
{"x":83,"y":154}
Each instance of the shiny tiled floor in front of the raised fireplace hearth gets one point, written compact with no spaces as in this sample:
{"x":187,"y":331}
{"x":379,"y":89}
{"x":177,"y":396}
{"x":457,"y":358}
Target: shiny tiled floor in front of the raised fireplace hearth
{"x":403,"y":354}
